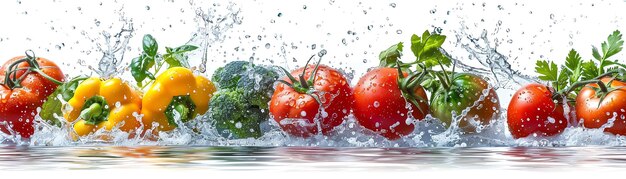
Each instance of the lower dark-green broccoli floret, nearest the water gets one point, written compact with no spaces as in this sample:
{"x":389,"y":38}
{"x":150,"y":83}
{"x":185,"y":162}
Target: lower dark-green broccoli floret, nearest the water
{"x":234,"y":118}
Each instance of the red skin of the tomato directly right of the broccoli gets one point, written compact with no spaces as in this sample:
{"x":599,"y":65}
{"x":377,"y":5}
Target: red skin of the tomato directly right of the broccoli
{"x":337,"y":99}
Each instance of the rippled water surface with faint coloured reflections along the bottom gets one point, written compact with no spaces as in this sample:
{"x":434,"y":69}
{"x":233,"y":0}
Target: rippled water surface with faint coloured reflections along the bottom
{"x":309,"y":159}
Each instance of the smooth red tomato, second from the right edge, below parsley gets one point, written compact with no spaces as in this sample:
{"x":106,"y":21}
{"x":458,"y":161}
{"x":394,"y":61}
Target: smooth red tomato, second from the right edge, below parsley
{"x":529,"y":110}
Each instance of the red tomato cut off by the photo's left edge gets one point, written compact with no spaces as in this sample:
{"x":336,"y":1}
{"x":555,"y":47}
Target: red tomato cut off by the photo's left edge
{"x":24,"y":91}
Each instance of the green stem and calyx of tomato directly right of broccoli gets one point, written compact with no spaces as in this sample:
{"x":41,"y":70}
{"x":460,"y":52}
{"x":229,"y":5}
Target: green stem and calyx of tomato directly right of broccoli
{"x":302,"y":85}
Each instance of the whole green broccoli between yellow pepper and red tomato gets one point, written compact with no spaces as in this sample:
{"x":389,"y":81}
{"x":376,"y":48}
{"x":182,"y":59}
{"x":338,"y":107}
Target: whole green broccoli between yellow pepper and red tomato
{"x":241,"y":104}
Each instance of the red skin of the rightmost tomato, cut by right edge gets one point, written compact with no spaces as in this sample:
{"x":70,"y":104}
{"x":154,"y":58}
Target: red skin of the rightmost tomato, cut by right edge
{"x":594,"y":115}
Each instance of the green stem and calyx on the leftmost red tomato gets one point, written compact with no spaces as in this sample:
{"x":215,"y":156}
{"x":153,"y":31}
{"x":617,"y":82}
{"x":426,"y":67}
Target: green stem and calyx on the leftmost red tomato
{"x":12,"y":80}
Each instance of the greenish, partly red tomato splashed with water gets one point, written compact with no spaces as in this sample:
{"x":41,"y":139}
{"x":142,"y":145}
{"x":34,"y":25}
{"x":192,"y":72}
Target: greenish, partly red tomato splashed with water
{"x":465,"y":91}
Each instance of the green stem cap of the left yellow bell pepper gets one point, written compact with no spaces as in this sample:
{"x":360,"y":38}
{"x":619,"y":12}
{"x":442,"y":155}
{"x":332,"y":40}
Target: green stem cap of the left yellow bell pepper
{"x":95,"y":110}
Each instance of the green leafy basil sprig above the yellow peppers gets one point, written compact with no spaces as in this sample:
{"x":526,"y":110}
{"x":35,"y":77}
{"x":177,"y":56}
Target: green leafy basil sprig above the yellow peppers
{"x":141,"y":66}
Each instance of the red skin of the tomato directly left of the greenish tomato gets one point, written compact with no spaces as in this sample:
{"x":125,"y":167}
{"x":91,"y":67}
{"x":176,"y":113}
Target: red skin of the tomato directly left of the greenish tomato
{"x":380,"y":86}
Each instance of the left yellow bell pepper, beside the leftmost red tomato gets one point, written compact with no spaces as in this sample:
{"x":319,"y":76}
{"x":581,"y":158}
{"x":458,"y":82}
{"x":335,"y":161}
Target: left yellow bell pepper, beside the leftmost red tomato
{"x":97,"y":104}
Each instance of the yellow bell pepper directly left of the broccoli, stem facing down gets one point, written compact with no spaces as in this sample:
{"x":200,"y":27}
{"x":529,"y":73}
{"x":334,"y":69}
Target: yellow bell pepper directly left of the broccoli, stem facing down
{"x":176,"y":93}
